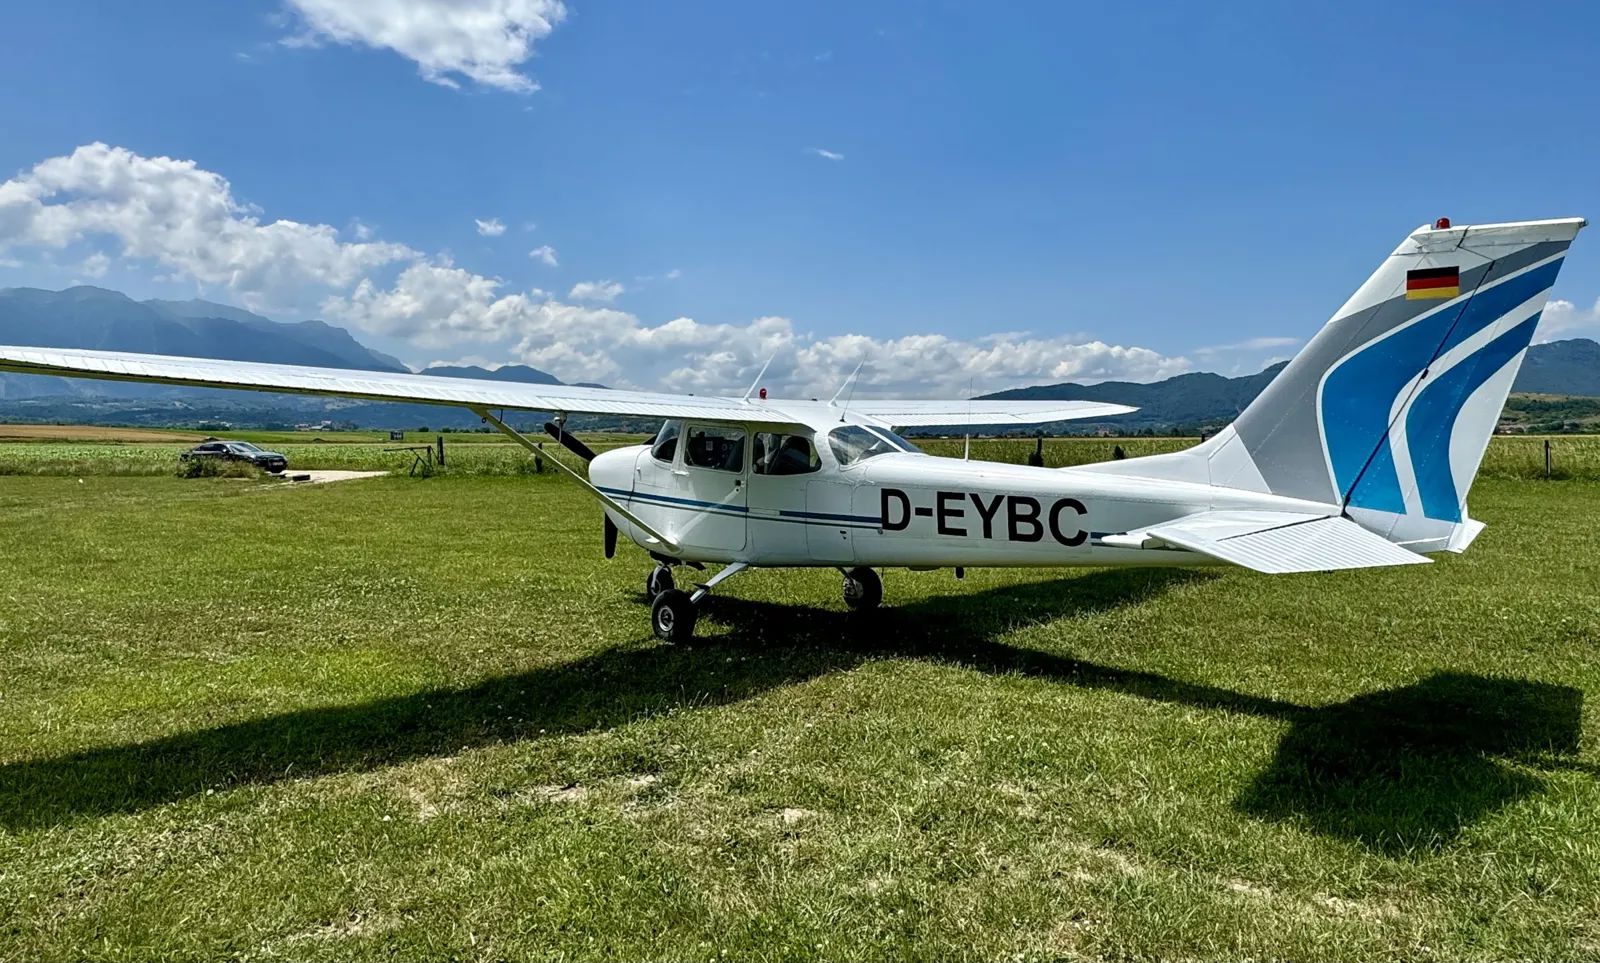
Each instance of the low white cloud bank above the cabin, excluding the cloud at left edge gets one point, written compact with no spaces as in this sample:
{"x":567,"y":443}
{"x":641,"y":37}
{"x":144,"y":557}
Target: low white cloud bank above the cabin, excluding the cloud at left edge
{"x":441,"y":305}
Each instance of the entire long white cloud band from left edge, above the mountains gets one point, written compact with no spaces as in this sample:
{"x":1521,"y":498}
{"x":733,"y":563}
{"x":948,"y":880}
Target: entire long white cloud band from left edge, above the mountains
{"x":114,"y":207}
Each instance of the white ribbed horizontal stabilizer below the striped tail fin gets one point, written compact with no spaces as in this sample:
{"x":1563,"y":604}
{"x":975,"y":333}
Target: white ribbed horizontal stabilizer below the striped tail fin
{"x":1282,"y":541}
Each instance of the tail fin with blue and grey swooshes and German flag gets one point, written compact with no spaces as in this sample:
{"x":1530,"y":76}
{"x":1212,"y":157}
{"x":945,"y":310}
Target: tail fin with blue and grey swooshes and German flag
{"x":1390,"y":409}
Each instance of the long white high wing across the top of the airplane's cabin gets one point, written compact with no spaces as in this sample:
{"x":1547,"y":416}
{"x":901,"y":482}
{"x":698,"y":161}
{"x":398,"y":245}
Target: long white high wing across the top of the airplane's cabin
{"x":466,"y":393}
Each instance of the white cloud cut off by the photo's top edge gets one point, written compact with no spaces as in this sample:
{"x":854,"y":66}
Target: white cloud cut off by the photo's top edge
{"x":481,"y":41}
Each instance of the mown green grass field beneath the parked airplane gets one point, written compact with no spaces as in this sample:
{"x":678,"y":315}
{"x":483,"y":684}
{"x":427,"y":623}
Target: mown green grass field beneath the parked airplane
{"x":407,"y":719}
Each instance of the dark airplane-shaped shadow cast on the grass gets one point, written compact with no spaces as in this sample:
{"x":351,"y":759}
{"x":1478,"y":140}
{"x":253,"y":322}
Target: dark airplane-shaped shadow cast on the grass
{"x":1401,"y":770}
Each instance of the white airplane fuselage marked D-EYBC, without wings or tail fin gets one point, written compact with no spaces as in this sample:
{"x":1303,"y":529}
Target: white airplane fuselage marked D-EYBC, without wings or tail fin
{"x":905,"y":511}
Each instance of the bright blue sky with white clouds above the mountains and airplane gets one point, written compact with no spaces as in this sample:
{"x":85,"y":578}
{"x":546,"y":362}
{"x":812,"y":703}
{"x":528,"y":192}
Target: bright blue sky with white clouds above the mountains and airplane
{"x":959,"y":194}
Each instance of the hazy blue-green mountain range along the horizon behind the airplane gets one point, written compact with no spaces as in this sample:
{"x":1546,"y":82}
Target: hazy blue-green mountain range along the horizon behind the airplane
{"x":108,"y":321}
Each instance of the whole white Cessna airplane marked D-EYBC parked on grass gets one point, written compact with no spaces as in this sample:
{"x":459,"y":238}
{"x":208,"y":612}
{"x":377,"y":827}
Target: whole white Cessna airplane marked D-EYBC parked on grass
{"x":1361,"y":454}
